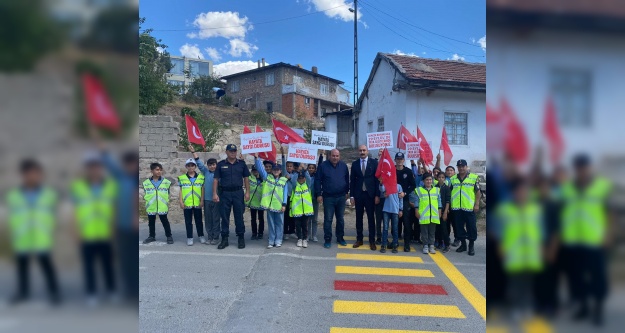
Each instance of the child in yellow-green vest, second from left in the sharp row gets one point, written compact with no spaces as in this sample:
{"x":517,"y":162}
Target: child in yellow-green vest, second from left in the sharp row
{"x":191,"y":194}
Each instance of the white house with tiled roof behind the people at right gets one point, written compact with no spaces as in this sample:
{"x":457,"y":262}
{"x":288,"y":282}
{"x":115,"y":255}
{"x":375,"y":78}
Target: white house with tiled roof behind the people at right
{"x":428,"y":93}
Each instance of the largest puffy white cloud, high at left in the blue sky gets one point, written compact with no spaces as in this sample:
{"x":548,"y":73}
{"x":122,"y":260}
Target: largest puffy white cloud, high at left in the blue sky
{"x":220,"y":24}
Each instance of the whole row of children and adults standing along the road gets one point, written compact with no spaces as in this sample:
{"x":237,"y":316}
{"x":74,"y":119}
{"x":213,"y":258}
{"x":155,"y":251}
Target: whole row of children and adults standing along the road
{"x":426,"y":204}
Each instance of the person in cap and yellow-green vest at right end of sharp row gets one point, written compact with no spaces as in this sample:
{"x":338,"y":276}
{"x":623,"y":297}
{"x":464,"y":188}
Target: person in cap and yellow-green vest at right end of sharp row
{"x":465,"y":203}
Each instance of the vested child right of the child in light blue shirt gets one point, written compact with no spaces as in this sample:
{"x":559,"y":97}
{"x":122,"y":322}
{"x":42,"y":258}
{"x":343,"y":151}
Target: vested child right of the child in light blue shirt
{"x":428,"y":201}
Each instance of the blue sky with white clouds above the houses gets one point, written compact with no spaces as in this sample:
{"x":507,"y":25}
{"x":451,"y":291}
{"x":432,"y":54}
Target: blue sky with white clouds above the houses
{"x":237,"y":33}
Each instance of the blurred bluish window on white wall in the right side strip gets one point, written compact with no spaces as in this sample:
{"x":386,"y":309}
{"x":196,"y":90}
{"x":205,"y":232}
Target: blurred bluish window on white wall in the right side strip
{"x":571,"y":91}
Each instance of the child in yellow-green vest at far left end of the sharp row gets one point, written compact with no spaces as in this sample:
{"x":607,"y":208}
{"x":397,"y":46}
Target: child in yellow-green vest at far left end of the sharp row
{"x":156,"y":202}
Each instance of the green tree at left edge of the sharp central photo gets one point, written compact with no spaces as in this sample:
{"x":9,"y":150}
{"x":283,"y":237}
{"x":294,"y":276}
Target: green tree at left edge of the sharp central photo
{"x":154,"y":91}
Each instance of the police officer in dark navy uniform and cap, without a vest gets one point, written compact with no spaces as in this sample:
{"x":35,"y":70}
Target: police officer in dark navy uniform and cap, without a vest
{"x":230,"y":177}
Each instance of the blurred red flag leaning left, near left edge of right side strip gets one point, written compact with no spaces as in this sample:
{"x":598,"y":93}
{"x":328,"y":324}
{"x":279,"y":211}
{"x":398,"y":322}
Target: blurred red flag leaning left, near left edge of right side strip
{"x":515,"y":141}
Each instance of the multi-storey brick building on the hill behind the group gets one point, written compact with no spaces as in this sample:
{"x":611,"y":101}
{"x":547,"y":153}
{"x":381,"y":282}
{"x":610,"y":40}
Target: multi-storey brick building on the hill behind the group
{"x":288,"y":89}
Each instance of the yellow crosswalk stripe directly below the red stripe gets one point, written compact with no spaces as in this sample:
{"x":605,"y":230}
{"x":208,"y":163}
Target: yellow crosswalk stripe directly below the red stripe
{"x":398,"y":309}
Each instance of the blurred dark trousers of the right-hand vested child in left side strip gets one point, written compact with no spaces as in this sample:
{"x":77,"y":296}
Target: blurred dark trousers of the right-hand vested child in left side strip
{"x":98,"y":251}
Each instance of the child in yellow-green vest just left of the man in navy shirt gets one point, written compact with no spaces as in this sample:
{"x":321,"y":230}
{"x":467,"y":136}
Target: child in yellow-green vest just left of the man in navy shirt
{"x":301,"y":209}
